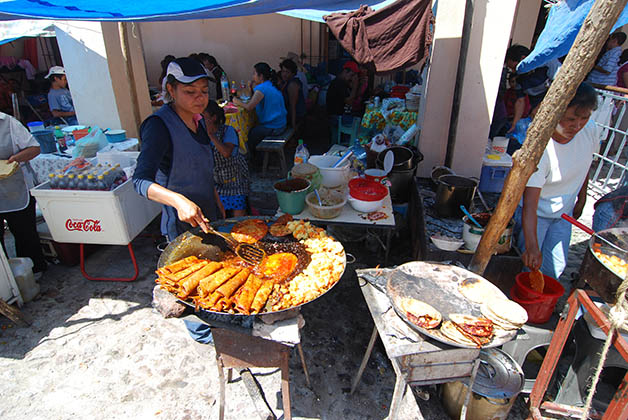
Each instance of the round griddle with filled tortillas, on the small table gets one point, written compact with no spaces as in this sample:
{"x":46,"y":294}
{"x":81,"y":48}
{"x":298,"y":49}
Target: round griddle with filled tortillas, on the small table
{"x":437,"y":284}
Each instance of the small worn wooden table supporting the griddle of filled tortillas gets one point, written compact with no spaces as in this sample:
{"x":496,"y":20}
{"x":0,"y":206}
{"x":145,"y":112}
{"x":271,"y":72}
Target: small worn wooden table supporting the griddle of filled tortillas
{"x":416,"y":360}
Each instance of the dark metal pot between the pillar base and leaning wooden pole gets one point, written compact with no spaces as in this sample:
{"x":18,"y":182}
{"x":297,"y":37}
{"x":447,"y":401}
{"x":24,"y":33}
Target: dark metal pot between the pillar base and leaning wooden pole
{"x":452,"y":192}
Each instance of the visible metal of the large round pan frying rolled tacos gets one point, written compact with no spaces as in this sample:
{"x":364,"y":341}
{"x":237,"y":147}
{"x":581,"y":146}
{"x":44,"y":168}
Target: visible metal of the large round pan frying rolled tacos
{"x":196,"y":242}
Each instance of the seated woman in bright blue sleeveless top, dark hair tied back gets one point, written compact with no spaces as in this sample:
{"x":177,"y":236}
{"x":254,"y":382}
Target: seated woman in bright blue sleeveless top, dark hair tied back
{"x":268,"y":103}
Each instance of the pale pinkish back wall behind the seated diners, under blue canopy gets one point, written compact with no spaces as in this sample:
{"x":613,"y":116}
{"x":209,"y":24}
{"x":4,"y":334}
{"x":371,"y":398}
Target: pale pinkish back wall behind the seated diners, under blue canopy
{"x":237,"y":43}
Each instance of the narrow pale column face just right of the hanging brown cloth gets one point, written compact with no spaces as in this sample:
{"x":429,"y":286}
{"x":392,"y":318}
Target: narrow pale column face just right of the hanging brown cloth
{"x":441,"y":81}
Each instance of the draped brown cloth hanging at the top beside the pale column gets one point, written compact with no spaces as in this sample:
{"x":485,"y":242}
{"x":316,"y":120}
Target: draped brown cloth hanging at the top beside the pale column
{"x":394,"y":37}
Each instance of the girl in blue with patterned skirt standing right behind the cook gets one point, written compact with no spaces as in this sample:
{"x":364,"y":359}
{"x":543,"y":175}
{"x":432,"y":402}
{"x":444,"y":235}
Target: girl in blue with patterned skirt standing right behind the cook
{"x":231,"y":171}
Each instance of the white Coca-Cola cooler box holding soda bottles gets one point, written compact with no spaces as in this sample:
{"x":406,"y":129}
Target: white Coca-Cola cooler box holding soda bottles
{"x":95,"y":217}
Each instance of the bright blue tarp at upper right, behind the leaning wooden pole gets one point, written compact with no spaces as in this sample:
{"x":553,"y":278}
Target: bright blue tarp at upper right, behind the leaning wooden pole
{"x":563,"y":24}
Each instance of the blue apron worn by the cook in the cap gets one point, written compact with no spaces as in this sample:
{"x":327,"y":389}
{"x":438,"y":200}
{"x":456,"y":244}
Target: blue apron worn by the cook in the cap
{"x":191,"y":173}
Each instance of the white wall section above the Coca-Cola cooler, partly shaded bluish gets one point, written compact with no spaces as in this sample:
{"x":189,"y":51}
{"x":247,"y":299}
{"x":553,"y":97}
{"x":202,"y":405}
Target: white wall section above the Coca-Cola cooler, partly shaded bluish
{"x":83,"y":53}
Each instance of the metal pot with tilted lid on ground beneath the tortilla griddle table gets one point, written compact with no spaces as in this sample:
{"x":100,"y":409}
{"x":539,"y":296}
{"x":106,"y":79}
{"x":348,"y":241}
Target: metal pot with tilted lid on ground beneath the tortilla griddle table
{"x":497,"y":384}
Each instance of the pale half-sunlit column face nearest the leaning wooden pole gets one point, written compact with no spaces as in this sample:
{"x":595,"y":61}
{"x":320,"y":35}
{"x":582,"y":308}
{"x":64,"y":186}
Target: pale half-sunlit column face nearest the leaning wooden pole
{"x":491,"y":27}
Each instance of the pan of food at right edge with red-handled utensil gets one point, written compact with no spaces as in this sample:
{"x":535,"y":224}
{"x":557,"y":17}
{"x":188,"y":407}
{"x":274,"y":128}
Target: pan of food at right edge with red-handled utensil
{"x":598,"y":275}
